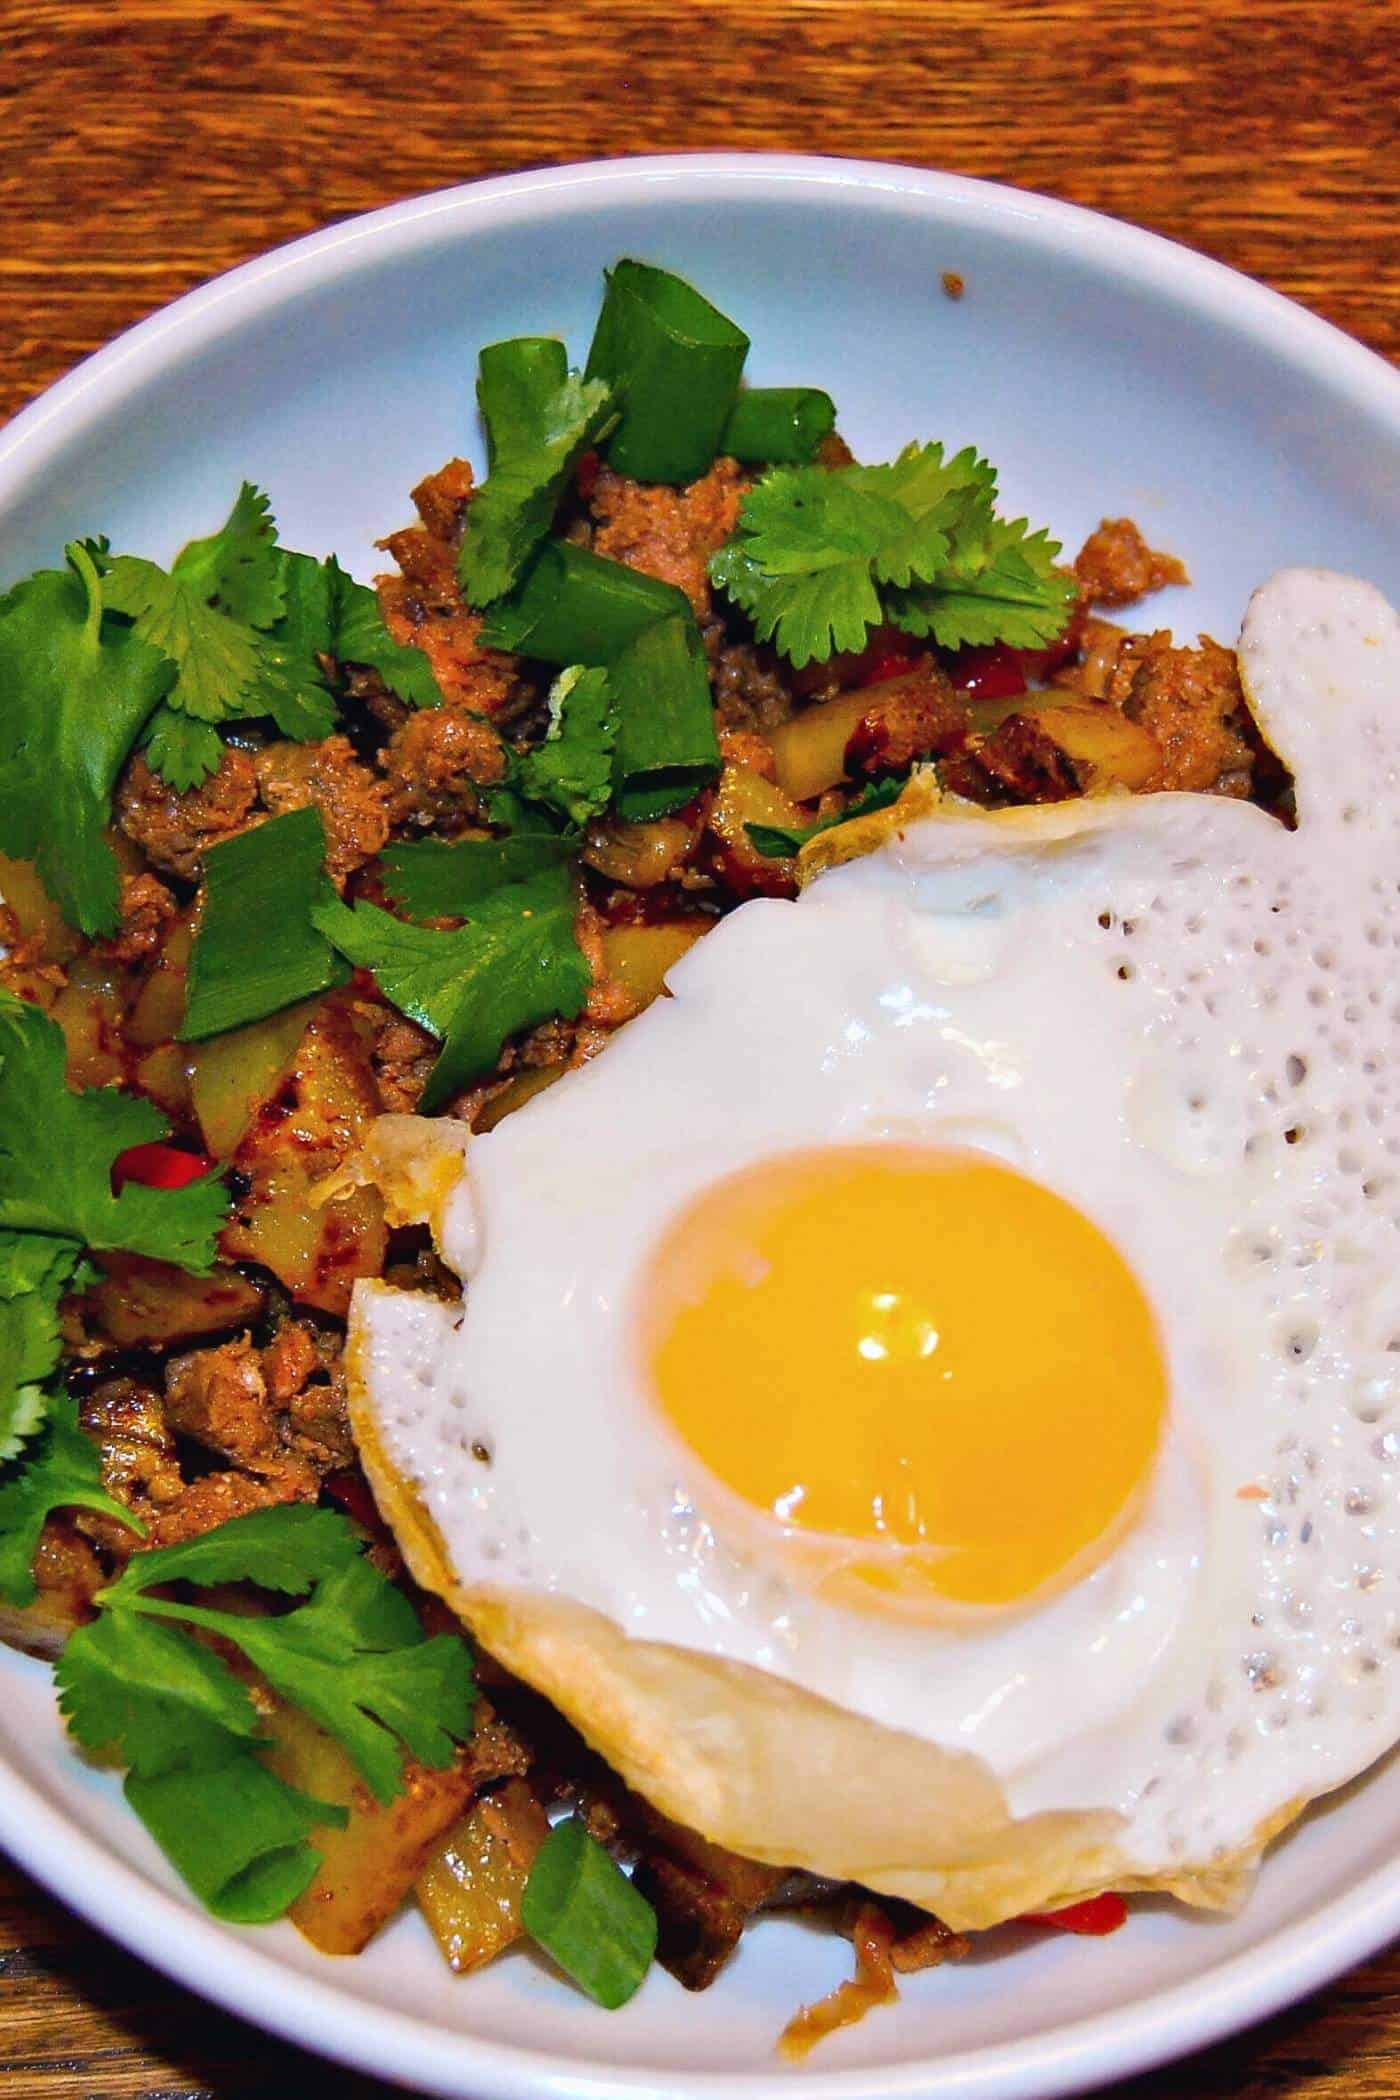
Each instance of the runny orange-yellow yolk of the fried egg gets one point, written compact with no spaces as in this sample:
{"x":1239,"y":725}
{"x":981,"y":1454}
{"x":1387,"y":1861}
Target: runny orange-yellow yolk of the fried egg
{"x":920,"y":1358}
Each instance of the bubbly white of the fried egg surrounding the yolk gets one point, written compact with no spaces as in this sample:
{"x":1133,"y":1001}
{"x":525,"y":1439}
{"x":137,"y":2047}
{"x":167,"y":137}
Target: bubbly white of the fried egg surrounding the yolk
{"x":1179,"y":1015}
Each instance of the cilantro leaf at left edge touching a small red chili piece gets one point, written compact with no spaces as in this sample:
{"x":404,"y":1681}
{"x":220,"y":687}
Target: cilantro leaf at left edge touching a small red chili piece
{"x":58,"y":1150}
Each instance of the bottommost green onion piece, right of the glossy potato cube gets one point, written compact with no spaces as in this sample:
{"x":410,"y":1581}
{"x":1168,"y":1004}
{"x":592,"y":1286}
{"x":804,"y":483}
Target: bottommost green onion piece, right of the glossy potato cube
{"x":587,"y":1914}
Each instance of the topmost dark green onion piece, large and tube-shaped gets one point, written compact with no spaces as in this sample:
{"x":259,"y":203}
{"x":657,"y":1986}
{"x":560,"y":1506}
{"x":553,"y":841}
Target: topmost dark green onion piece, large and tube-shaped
{"x":675,"y":362}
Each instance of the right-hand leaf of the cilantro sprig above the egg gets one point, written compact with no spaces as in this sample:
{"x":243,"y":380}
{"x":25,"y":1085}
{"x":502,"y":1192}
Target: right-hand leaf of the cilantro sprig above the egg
{"x":1000,"y":587}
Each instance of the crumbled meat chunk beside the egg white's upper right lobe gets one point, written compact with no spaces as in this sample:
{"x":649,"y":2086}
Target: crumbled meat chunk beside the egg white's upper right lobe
{"x":1193,"y":702}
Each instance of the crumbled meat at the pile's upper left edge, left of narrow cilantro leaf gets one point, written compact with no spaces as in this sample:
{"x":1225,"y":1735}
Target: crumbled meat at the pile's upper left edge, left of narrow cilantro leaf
{"x":425,"y":604}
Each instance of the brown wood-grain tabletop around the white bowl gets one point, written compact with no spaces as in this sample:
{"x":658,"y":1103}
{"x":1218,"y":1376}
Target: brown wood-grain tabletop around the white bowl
{"x":150,"y":144}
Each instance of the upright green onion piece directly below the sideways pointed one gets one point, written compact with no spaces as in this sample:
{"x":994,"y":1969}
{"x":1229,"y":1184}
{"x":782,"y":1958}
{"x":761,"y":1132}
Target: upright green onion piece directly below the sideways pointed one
{"x":666,"y":747}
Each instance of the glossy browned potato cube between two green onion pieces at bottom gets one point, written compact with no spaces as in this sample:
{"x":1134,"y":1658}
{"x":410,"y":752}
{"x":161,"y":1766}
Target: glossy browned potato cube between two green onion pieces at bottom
{"x":473,"y":1885}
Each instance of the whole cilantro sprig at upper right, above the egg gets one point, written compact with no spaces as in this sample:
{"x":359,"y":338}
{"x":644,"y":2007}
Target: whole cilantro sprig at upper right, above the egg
{"x":822,"y":558}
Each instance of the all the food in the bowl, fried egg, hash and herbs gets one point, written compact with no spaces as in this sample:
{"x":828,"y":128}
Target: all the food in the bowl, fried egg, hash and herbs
{"x":389,"y":868}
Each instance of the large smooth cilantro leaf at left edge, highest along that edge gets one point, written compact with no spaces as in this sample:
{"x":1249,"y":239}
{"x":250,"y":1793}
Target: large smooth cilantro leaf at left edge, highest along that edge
{"x":77,"y":690}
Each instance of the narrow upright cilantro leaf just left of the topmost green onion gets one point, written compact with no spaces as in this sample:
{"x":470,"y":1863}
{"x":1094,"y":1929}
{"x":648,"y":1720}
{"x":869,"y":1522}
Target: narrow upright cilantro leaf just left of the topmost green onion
{"x":536,"y":444}
